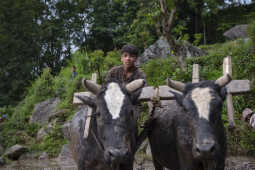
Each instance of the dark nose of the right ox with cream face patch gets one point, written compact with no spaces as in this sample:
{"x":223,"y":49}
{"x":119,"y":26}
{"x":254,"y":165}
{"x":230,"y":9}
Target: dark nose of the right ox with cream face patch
{"x":205,"y":149}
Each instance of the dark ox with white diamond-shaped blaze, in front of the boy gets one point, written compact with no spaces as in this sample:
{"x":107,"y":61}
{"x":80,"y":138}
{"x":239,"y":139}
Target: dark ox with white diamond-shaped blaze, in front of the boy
{"x":112,"y":135}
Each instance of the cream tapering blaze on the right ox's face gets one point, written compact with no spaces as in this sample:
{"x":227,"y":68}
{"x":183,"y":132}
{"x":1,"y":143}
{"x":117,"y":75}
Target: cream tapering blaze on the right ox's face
{"x":202,"y":99}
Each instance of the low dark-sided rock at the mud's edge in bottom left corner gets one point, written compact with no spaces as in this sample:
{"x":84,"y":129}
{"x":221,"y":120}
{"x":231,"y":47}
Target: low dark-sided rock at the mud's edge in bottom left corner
{"x":15,"y":152}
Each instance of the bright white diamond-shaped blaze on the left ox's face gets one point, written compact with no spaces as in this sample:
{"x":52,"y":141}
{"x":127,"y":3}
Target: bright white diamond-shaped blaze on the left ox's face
{"x":114,"y":99}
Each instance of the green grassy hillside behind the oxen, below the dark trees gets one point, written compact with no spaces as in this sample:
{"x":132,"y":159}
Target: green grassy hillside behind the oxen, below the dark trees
{"x":18,"y":129}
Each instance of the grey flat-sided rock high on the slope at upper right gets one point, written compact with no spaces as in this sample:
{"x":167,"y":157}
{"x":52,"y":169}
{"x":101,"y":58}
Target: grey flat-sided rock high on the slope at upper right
{"x":238,"y":31}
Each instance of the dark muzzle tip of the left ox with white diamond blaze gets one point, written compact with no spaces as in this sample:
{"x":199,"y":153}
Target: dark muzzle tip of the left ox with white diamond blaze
{"x":116,"y":155}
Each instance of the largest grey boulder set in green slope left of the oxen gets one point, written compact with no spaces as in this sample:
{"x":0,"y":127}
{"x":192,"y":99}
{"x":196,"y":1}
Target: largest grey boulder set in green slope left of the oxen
{"x":44,"y":110}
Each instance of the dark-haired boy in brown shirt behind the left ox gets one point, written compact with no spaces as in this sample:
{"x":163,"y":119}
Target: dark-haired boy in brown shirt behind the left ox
{"x":128,"y":71}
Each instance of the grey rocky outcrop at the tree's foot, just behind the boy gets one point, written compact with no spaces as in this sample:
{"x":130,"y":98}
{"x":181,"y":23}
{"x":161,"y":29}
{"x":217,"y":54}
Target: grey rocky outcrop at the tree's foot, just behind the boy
{"x":162,"y":49}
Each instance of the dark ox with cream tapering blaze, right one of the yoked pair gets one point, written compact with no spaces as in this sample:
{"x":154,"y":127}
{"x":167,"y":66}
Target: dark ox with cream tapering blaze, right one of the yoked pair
{"x":190,"y":135}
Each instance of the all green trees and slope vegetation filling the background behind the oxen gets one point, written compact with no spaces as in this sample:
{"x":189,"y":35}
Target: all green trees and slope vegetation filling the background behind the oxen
{"x":36,"y":58}
